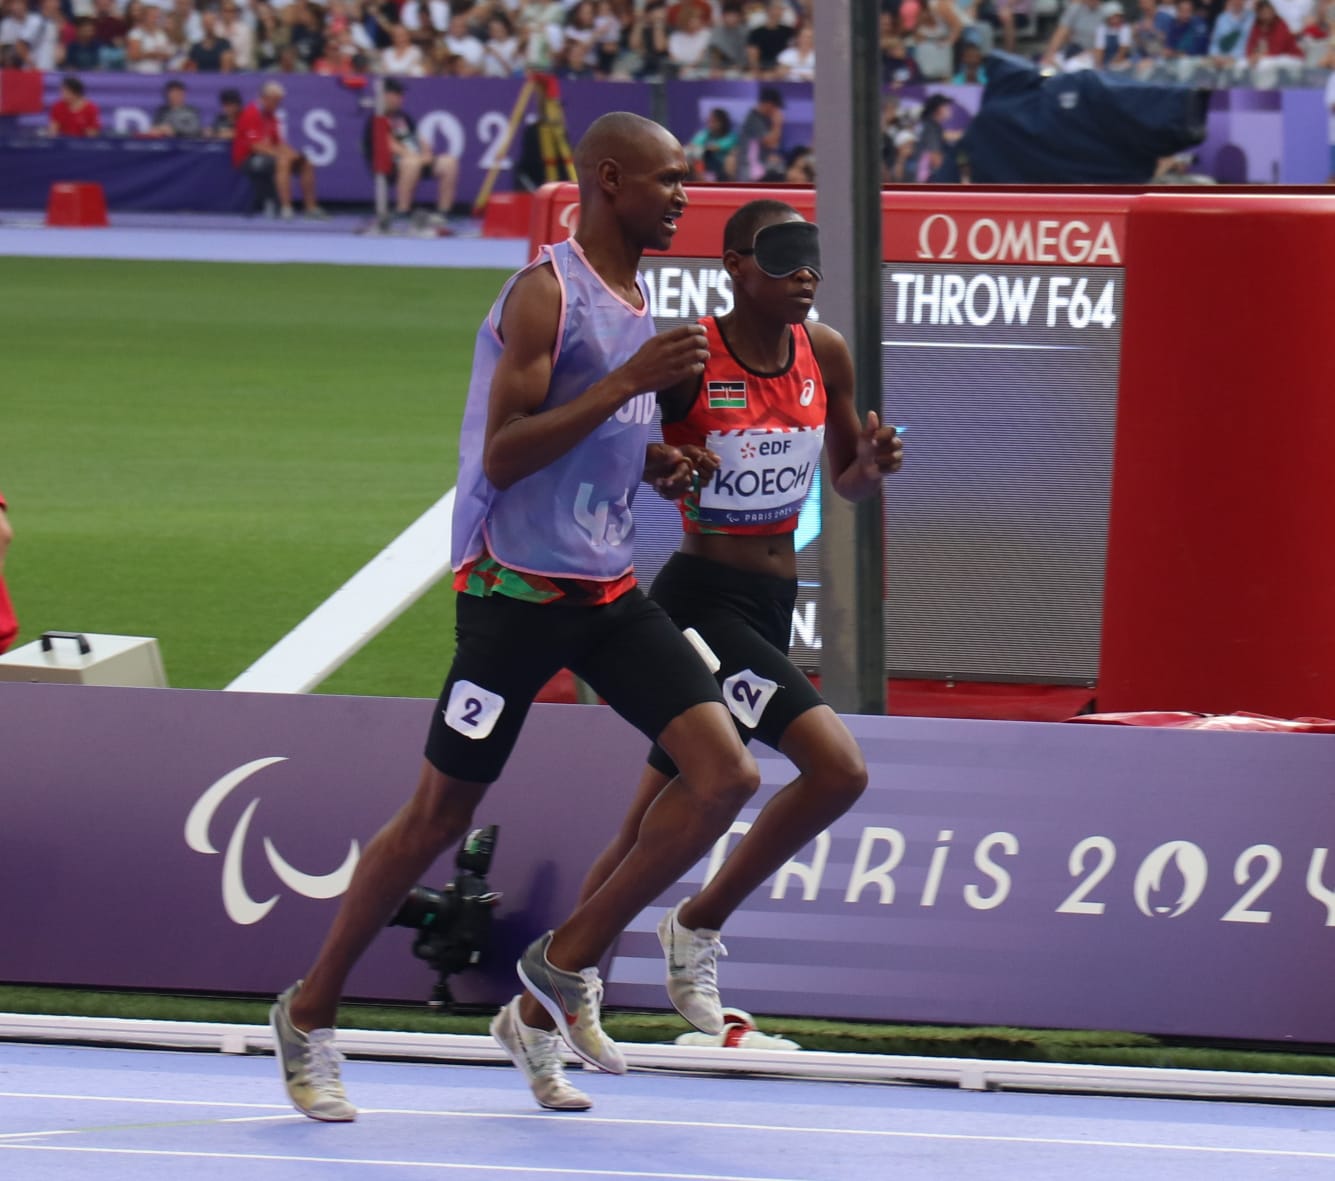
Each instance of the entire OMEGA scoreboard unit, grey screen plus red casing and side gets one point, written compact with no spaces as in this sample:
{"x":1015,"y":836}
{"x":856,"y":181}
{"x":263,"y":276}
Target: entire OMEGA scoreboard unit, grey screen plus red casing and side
{"x":1025,"y":333}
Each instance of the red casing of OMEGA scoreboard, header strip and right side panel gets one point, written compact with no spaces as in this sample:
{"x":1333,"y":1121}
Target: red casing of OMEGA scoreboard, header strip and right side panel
{"x":1220,"y":577}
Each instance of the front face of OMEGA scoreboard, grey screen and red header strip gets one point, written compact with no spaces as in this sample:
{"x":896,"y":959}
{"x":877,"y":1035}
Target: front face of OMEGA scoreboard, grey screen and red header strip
{"x":1002,"y":328}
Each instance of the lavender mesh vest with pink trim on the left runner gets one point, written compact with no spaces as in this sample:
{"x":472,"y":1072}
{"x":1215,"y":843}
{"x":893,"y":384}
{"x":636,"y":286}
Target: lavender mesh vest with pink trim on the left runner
{"x":571,"y":520}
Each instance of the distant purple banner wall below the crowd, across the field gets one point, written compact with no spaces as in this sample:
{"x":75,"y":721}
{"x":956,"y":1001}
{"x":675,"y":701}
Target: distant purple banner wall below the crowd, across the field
{"x":1253,"y":135}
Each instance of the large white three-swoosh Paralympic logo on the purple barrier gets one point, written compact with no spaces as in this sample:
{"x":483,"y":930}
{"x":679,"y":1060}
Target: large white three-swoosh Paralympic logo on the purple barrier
{"x":241,"y":907}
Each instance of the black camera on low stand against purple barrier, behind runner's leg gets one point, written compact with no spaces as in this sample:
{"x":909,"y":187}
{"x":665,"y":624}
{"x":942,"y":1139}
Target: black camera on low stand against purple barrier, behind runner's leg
{"x":455,"y":925}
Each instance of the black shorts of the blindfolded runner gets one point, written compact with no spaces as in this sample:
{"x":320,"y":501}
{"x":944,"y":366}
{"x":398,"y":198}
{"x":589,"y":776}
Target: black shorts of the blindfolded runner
{"x":747,"y":620}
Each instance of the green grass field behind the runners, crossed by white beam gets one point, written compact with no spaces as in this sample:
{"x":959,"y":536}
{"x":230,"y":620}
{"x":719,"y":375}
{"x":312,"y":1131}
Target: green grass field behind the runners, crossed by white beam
{"x":204,"y":452}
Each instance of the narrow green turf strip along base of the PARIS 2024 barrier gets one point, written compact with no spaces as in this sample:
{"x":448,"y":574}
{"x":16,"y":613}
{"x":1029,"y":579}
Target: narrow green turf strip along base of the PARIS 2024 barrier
{"x":995,"y":1043}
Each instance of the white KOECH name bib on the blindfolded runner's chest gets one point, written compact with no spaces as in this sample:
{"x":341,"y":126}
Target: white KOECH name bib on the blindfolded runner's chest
{"x":764,"y":476}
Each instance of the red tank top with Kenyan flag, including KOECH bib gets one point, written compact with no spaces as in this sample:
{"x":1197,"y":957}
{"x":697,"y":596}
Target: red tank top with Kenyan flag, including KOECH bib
{"x":768,"y":429}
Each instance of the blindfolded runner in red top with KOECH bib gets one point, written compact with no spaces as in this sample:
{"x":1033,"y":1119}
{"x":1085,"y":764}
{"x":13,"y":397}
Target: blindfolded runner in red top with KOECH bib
{"x":775,"y":385}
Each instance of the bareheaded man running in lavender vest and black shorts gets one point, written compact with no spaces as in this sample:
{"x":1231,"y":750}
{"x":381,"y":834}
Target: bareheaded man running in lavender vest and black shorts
{"x":552,"y":450}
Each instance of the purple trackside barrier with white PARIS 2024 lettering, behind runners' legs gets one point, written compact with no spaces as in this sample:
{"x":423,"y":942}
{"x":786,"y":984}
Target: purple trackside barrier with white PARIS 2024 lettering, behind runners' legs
{"x":998,"y":873}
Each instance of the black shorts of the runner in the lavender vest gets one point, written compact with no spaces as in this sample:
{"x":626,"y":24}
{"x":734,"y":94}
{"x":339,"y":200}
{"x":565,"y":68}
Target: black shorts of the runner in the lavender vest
{"x":629,"y":652}
